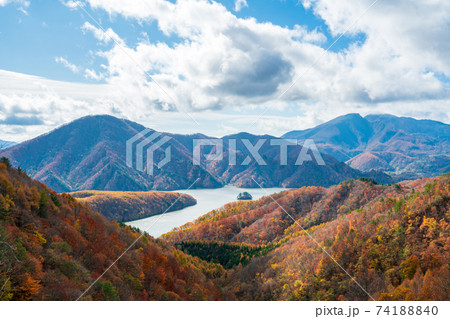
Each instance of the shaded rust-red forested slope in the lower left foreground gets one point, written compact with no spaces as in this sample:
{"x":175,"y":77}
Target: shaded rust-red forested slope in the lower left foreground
{"x":53,"y":248}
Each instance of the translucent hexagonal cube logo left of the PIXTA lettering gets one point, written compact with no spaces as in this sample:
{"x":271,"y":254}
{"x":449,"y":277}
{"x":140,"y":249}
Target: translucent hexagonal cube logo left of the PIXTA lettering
{"x":142,"y":142}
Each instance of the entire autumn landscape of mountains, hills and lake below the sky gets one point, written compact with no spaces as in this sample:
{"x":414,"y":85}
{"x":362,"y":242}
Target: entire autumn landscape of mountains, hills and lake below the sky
{"x":372,"y":223}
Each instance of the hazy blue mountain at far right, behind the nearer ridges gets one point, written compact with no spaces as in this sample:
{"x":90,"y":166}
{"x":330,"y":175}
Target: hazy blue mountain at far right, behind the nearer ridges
{"x":401,"y":146}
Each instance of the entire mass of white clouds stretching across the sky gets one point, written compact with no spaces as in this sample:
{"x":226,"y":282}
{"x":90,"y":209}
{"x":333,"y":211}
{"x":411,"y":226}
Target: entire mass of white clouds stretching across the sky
{"x":219,"y":61}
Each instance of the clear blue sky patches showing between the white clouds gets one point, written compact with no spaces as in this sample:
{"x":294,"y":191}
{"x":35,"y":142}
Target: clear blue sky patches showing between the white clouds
{"x":30,"y":42}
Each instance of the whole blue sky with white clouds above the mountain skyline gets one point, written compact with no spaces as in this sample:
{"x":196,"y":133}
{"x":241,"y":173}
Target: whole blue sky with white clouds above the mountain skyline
{"x":220,"y":67}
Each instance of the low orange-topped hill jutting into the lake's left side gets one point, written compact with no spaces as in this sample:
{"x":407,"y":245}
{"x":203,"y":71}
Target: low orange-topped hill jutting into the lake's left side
{"x":126,"y":206}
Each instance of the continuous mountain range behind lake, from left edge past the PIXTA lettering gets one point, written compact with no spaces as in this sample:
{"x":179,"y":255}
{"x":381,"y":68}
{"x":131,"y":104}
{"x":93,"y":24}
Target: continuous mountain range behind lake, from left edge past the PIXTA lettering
{"x":90,"y":154}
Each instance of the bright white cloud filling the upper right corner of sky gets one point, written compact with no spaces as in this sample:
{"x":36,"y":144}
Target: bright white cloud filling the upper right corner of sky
{"x":407,"y":44}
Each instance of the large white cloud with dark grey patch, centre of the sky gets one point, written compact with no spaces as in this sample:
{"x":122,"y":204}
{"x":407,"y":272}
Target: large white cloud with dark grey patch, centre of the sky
{"x":221,"y":61}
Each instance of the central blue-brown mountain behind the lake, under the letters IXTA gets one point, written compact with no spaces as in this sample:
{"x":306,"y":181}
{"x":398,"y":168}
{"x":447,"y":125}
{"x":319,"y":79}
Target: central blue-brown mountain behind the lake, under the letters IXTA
{"x":272,"y":174}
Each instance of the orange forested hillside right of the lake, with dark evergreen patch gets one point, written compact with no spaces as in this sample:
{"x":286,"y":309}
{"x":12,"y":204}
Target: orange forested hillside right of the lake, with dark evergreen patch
{"x":393,"y":240}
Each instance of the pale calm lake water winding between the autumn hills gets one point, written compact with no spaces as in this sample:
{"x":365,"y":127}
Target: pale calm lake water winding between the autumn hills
{"x":207,"y":200}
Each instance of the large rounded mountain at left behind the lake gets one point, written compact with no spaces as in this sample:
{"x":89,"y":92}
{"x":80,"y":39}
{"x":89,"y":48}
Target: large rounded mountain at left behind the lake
{"x":90,"y":154}
